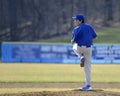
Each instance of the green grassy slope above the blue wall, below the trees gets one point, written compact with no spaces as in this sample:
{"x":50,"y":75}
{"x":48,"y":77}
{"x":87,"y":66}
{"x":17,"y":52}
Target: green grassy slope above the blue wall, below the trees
{"x":106,"y":35}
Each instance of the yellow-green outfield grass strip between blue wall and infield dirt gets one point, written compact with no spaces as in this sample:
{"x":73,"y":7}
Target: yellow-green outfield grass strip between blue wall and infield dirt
{"x":57,"y":73}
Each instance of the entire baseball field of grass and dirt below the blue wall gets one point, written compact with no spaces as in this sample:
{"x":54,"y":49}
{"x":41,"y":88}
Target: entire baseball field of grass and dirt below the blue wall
{"x":35,"y":79}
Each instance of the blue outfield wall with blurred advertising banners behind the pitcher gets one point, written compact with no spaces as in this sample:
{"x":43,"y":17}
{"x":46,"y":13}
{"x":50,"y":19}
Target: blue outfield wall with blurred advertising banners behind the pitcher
{"x":56,"y":53}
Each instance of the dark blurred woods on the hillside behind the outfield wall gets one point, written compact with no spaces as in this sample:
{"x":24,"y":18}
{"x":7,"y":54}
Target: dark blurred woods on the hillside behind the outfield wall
{"x":33,"y":20}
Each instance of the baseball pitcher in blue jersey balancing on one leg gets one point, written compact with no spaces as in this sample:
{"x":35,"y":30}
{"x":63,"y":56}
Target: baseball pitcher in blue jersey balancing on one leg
{"x":82,"y":41}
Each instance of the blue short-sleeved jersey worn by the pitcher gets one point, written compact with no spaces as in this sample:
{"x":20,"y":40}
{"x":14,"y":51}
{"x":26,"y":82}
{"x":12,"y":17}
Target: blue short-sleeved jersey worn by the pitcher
{"x":84,"y":35}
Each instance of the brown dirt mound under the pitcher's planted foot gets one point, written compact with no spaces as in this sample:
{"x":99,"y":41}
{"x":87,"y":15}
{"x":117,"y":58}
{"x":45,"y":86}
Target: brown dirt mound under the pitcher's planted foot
{"x":66,"y":93}
